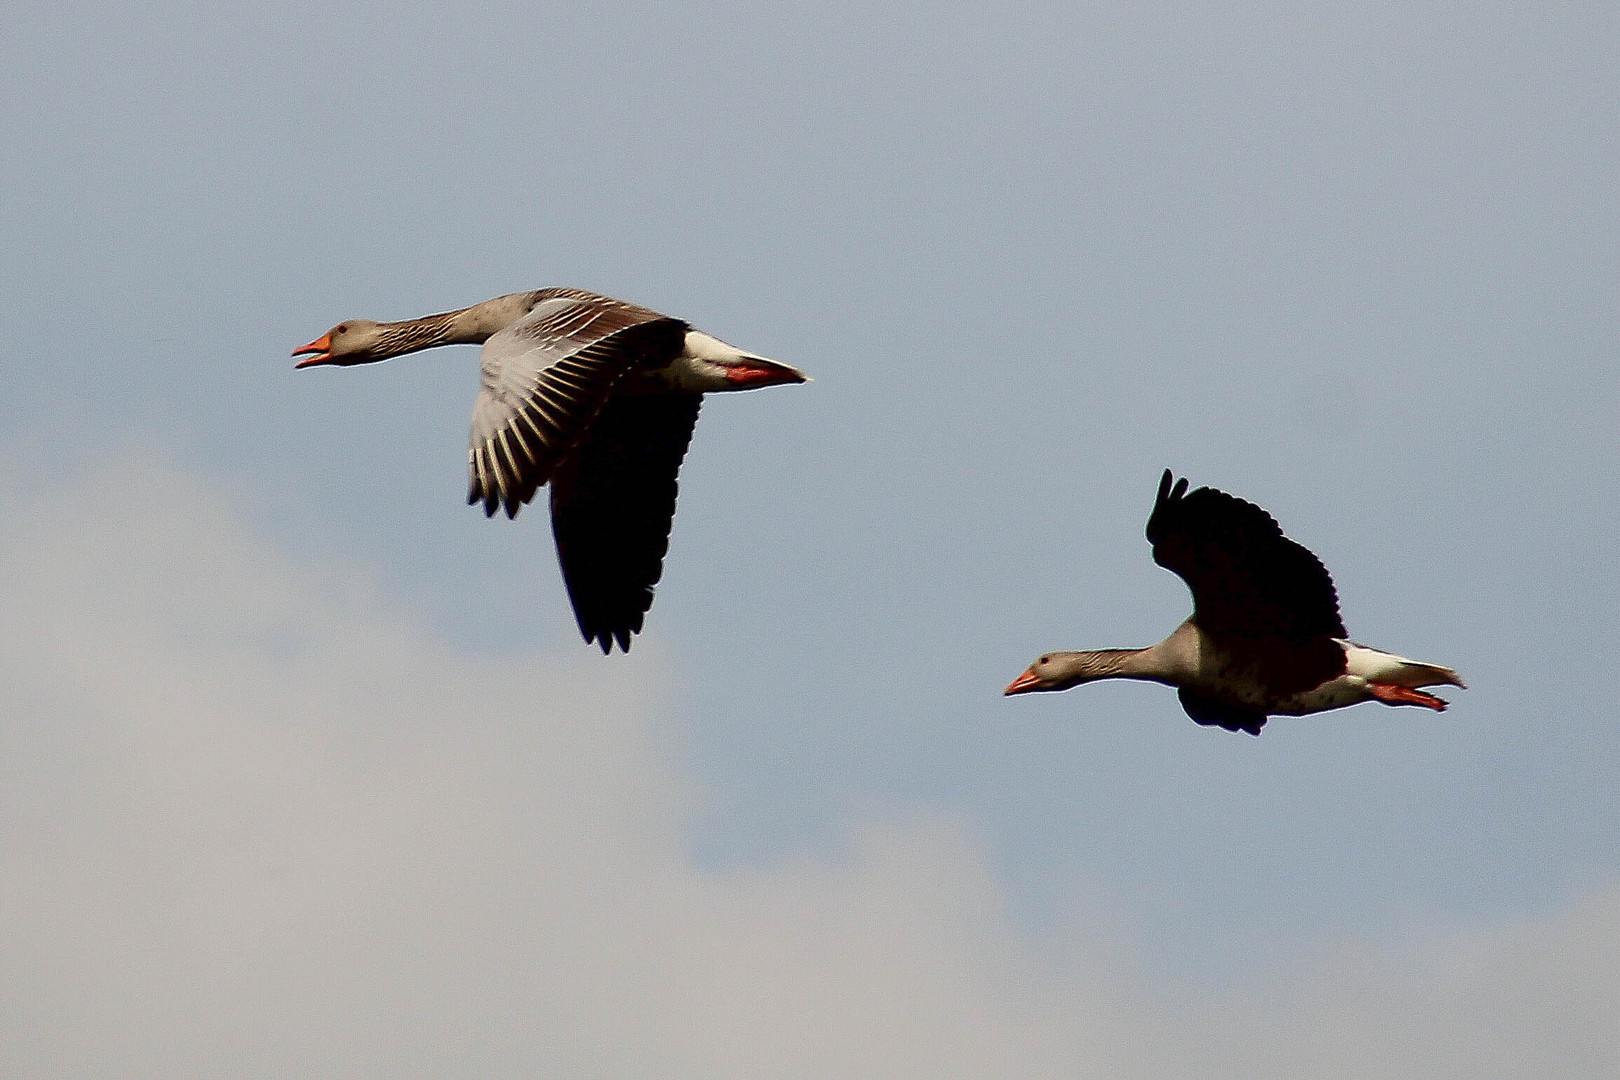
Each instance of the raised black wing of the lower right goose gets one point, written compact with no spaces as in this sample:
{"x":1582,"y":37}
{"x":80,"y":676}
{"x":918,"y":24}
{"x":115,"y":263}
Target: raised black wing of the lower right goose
{"x":1248,"y":580}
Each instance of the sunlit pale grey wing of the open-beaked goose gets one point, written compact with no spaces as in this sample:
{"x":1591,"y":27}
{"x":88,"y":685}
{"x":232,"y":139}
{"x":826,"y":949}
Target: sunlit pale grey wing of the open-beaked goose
{"x":545,"y":380}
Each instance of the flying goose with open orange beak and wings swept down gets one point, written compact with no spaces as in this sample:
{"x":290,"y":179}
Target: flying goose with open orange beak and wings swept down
{"x":592,"y":396}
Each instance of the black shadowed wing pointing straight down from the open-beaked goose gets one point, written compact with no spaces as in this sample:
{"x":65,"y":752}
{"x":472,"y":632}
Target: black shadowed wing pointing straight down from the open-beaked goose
{"x":612,"y":511}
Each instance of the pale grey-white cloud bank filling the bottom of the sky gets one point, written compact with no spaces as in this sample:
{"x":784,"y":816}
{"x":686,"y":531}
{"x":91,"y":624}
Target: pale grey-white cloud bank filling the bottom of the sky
{"x":257,"y":823}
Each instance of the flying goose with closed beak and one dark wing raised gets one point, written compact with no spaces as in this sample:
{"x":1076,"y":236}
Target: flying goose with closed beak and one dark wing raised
{"x":1264,"y":637}
